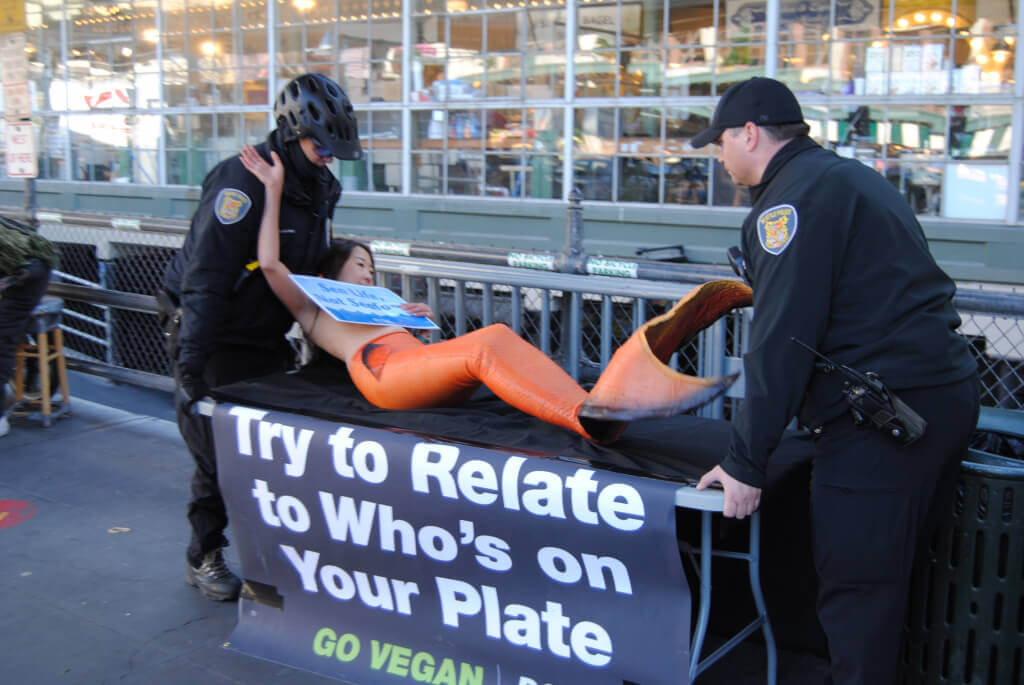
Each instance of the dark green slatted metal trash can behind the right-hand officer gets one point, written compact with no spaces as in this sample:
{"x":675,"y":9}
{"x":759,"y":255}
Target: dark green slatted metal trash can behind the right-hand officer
{"x":966,"y":615}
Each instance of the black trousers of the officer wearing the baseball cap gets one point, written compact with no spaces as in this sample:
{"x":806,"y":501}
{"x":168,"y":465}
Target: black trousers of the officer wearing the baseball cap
{"x":874,"y":505}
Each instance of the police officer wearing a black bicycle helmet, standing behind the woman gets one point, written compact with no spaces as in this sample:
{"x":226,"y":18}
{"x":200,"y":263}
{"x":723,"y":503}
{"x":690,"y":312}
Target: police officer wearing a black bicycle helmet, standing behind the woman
{"x":223,"y":322}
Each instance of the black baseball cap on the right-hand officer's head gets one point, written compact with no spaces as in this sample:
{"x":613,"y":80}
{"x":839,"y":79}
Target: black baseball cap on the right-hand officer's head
{"x":764,"y":102}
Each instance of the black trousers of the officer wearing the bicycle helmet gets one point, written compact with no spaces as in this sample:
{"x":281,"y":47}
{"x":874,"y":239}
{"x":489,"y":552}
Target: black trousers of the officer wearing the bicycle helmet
{"x":228,"y":364}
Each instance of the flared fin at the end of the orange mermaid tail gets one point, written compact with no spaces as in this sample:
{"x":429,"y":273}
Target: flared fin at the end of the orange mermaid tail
{"x":638,"y":382}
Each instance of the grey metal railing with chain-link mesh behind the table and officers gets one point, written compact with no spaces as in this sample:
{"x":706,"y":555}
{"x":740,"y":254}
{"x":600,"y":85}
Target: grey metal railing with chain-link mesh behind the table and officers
{"x":111,"y":269}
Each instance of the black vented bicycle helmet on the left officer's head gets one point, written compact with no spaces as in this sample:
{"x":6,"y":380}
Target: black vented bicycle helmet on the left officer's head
{"x":315,"y":106}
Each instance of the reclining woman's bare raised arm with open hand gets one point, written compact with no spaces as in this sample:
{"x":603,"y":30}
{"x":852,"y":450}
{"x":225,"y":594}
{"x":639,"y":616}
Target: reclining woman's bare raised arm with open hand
{"x":269,"y":247}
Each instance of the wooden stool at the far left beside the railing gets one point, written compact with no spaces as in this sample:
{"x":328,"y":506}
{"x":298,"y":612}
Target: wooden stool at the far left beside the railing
{"x":45,"y":323}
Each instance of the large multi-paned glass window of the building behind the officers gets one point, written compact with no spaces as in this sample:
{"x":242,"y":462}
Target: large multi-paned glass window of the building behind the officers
{"x":149,"y":92}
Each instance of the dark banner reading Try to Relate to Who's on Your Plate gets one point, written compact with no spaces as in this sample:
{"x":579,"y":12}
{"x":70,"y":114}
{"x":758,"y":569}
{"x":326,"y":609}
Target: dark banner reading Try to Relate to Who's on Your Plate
{"x":376,"y":556}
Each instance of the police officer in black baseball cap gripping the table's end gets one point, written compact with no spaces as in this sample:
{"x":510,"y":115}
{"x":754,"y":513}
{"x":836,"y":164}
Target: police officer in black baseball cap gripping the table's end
{"x":840,"y":266}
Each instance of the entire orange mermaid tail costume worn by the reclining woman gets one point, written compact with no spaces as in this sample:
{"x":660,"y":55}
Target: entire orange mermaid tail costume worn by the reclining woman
{"x":398,"y":372}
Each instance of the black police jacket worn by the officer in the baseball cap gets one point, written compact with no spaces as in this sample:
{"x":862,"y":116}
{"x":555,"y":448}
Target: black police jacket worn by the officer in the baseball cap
{"x":838,"y":261}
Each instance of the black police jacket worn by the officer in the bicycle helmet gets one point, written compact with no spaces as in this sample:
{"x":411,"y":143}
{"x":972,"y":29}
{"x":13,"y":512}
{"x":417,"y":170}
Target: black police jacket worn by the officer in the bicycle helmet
{"x":226,"y":299}
